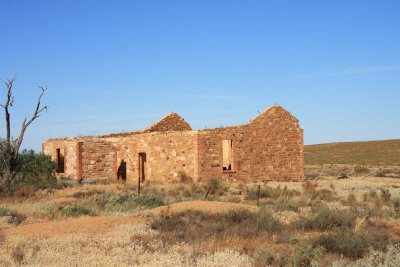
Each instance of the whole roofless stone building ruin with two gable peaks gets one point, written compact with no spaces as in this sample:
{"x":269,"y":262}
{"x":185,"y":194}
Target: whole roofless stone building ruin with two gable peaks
{"x":269,"y":147}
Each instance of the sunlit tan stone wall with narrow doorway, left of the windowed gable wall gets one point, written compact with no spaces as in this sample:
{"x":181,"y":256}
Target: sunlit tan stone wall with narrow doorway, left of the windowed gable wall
{"x":167,"y":154}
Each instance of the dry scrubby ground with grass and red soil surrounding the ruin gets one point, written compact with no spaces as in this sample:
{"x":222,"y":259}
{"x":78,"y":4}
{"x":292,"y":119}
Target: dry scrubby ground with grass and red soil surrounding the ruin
{"x":323,"y":221}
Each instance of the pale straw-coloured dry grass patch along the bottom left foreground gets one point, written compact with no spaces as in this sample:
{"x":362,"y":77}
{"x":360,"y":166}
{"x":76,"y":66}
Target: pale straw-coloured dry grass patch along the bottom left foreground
{"x":127,"y":245}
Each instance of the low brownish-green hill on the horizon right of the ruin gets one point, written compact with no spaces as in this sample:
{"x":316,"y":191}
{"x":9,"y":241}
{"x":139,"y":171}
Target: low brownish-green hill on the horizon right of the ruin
{"x":382,"y":153}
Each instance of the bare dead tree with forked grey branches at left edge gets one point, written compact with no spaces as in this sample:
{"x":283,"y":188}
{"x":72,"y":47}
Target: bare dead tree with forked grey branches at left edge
{"x":11,"y":146}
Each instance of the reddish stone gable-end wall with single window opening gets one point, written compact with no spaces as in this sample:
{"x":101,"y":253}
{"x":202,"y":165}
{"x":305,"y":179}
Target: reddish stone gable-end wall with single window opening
{"x":270,"y":147}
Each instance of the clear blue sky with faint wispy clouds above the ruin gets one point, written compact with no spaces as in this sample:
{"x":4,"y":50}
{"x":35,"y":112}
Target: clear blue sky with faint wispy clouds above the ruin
{"x":114,"y":66}
